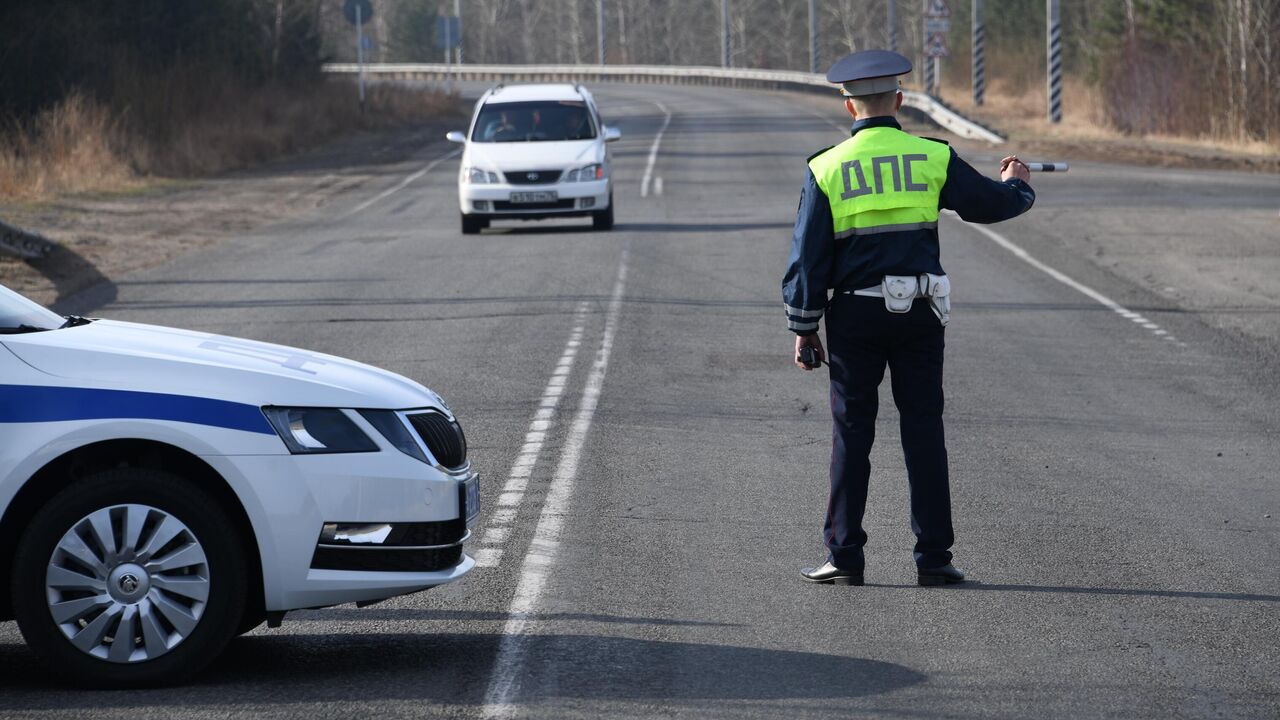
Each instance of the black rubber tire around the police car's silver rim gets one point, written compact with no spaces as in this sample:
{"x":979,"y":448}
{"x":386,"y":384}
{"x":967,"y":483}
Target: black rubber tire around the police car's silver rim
{"x":182,"y":500}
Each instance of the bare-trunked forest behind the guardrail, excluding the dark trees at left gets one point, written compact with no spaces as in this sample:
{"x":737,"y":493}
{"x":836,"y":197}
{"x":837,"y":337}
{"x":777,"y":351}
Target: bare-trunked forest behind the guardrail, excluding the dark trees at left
{"x":1177,"y":67}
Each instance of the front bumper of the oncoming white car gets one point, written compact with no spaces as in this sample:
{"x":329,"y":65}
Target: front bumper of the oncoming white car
{"x":532,"y":202}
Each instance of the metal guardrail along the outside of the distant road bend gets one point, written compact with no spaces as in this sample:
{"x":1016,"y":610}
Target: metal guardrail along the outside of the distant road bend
{"x":771,"y":80}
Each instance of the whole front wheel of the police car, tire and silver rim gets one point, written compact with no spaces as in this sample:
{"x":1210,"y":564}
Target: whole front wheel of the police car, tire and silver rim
{"x":130,"y":578}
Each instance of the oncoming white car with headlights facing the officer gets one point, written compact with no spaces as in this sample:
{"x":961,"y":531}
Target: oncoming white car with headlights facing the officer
{"x":536,"y":152}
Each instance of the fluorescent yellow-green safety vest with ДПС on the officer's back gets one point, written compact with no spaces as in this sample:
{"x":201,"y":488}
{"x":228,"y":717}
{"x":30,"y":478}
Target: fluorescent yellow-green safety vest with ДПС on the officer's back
{"x":883,"y":180}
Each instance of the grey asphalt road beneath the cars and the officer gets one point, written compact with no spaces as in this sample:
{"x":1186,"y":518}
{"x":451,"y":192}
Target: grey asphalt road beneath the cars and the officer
{"x":1114,"y":479}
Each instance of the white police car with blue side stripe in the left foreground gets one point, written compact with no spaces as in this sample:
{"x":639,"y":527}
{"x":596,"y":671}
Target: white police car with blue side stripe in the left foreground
{"x":162,"y":490}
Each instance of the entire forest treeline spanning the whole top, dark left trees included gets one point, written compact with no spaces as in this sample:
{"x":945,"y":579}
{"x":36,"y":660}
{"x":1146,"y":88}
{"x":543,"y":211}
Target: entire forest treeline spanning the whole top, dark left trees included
{"x":1181,"y":67}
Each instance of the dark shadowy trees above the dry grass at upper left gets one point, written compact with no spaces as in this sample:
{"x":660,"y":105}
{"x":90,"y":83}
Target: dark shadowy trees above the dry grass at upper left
{"x":103,"y":48}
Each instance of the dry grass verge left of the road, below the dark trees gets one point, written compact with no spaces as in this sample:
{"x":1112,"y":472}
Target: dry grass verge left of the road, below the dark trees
{"x":186,"y":124}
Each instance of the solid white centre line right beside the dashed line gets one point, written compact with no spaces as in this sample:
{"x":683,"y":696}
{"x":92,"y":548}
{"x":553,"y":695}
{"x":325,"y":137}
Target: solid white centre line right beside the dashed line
{"x":500,"y":698}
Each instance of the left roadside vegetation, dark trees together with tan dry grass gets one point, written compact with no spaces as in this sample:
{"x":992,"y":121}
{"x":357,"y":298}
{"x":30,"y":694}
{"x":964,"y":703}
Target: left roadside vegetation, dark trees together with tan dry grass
{"x":98,"y":93}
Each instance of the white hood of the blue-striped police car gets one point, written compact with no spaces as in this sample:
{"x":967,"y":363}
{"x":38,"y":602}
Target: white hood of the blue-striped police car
{"x":167,"y":361}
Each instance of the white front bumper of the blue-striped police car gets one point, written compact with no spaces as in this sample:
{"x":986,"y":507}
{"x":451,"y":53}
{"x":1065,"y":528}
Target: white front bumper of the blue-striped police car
{"x":353,"y":527}
